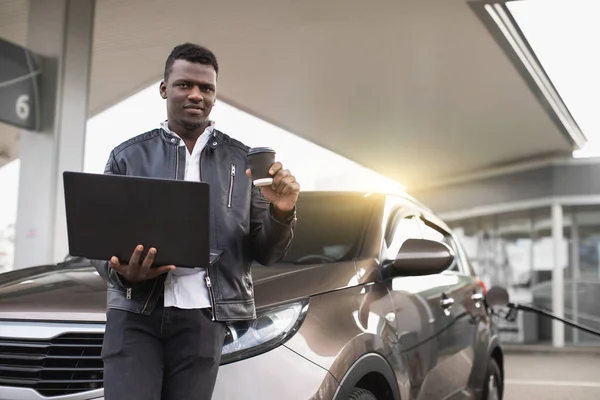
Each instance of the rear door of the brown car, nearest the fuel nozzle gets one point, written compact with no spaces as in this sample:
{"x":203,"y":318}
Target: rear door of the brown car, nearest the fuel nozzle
{"x":456,"y":325}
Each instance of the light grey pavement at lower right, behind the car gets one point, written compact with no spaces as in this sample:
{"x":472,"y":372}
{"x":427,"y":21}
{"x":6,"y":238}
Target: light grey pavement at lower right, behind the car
{"x":552,"y":376}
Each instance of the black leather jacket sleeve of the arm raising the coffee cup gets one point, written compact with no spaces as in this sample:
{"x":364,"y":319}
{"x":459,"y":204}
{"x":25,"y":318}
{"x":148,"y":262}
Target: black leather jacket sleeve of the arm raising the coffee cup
{"x":271,"y":239}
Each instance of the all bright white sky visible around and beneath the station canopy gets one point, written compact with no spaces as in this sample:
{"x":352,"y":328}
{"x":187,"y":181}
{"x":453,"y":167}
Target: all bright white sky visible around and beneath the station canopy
{"x":563,"y":33}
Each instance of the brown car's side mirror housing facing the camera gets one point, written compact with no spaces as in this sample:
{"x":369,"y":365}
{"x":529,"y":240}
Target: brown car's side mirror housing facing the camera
{"x":422,"y":257}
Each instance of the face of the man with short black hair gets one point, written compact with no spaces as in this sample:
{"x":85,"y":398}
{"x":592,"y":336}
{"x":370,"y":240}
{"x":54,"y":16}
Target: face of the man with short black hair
{"x":190,"y":91}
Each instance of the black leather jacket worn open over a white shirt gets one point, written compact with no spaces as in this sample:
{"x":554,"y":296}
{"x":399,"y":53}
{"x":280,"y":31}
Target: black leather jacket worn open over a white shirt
{"x":242,"y":224}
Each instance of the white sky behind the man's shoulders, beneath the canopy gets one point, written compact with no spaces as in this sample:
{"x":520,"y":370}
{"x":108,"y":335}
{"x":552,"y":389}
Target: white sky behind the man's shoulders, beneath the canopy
{"x":311,"y":164}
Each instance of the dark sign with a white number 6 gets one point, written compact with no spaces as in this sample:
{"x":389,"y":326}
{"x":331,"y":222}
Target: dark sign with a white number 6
{"x":18,"y":86}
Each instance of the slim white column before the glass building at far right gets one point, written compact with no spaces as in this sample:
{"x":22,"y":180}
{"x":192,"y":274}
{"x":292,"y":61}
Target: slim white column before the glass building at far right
{"x":558,"y":288}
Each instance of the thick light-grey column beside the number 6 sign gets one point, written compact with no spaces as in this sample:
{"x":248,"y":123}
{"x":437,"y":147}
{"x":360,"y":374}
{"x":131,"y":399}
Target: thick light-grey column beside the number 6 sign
{"x":61,"y":31}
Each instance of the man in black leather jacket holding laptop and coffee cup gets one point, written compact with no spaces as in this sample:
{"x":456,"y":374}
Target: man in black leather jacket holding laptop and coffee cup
{"x":165,"y":326}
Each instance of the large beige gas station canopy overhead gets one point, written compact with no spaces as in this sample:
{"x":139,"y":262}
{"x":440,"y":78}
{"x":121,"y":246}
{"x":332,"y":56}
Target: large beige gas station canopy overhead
{"x":418,"y":90}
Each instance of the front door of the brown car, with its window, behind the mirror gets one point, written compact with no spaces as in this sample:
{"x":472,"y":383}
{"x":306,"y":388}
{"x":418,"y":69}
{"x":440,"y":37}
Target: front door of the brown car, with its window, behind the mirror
{"x":414,"y":301}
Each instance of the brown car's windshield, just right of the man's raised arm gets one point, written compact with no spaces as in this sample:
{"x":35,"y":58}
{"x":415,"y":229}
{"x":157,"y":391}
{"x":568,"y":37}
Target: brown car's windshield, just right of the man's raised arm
{"x":329,"y":228}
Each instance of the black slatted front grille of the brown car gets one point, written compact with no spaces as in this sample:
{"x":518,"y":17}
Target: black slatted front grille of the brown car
{"x":67,"y":364}
